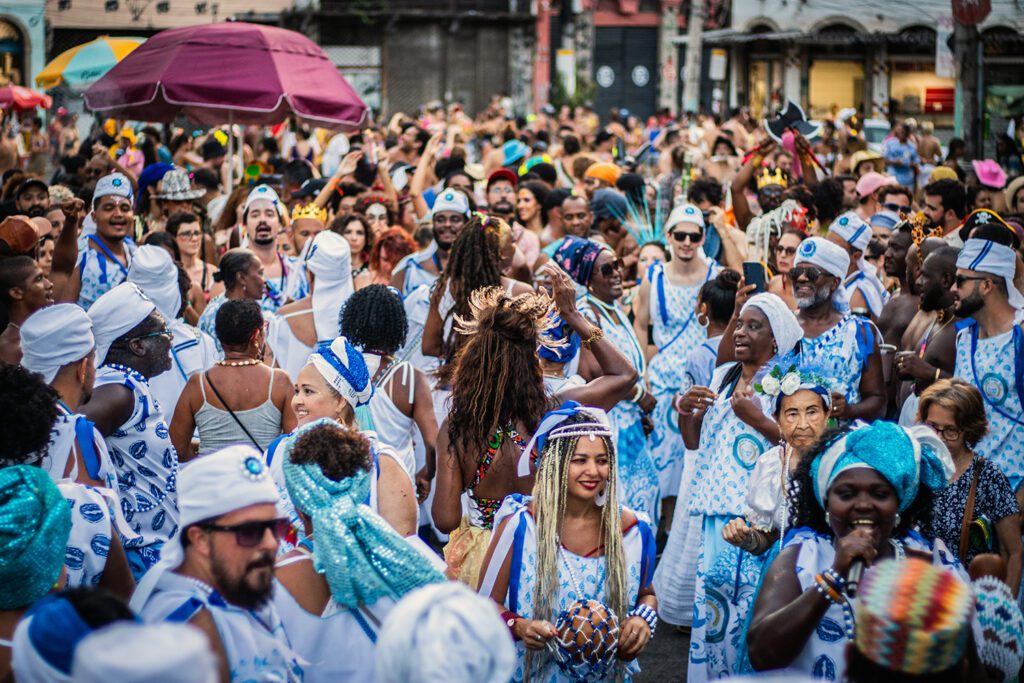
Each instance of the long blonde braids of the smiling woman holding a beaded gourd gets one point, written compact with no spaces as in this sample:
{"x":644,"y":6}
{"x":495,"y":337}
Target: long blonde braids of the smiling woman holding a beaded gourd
{"x":550,"y":492}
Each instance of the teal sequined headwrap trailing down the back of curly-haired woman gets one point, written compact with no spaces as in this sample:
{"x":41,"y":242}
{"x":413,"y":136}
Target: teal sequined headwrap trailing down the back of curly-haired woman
{"x":362,"y":557}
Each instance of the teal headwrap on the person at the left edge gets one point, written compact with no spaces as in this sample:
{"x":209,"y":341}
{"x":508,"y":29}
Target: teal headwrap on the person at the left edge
{"x":35,"y":524}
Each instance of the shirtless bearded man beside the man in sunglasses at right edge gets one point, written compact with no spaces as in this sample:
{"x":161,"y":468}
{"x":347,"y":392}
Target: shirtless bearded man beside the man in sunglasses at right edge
{"x":930,"y":341}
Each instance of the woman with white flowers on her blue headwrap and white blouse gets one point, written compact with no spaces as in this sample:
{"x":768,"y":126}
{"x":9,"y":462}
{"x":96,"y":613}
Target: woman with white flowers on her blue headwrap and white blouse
{"x":799,"y":401}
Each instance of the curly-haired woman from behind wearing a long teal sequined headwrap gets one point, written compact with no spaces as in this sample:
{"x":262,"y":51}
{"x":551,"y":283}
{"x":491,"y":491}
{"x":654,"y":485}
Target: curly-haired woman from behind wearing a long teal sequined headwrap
{"x":337,"y":586}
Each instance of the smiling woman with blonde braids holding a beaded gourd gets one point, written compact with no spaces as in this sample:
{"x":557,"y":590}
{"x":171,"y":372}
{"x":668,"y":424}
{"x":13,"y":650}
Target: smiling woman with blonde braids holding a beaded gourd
{"x":571,"y":569}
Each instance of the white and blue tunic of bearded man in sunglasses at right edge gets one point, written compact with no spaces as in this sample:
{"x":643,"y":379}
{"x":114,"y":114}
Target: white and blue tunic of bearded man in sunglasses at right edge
{"x":993,"y":367}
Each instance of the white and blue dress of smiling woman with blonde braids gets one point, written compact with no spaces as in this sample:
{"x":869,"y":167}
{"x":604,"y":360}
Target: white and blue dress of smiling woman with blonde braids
{"x":587,"y":573}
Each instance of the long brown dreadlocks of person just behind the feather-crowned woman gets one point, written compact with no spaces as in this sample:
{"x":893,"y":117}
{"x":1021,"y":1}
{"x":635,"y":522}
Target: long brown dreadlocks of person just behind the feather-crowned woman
{"x":475,"y":263}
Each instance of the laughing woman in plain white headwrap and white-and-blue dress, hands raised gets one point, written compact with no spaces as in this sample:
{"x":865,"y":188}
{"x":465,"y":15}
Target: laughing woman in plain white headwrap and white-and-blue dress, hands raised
{"x":730,"y":430}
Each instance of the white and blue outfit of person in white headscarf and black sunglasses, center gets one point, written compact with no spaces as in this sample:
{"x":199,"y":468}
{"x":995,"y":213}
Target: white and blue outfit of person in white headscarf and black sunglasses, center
{"x":676,"y":334}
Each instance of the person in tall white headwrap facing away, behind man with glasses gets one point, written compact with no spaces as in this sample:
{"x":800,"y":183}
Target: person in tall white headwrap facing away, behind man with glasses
{"x":193,"y":351}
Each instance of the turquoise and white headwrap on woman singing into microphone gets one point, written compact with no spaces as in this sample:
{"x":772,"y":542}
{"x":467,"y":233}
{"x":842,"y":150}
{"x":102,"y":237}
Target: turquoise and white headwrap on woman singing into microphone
{"x":907,"y":457}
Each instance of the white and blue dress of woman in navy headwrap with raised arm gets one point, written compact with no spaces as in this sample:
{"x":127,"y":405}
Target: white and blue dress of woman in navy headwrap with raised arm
{"x":637,"y":476}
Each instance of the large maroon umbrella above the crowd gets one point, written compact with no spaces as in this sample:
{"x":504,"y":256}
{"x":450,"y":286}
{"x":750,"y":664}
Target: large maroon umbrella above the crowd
{"x":229,"y":72}
